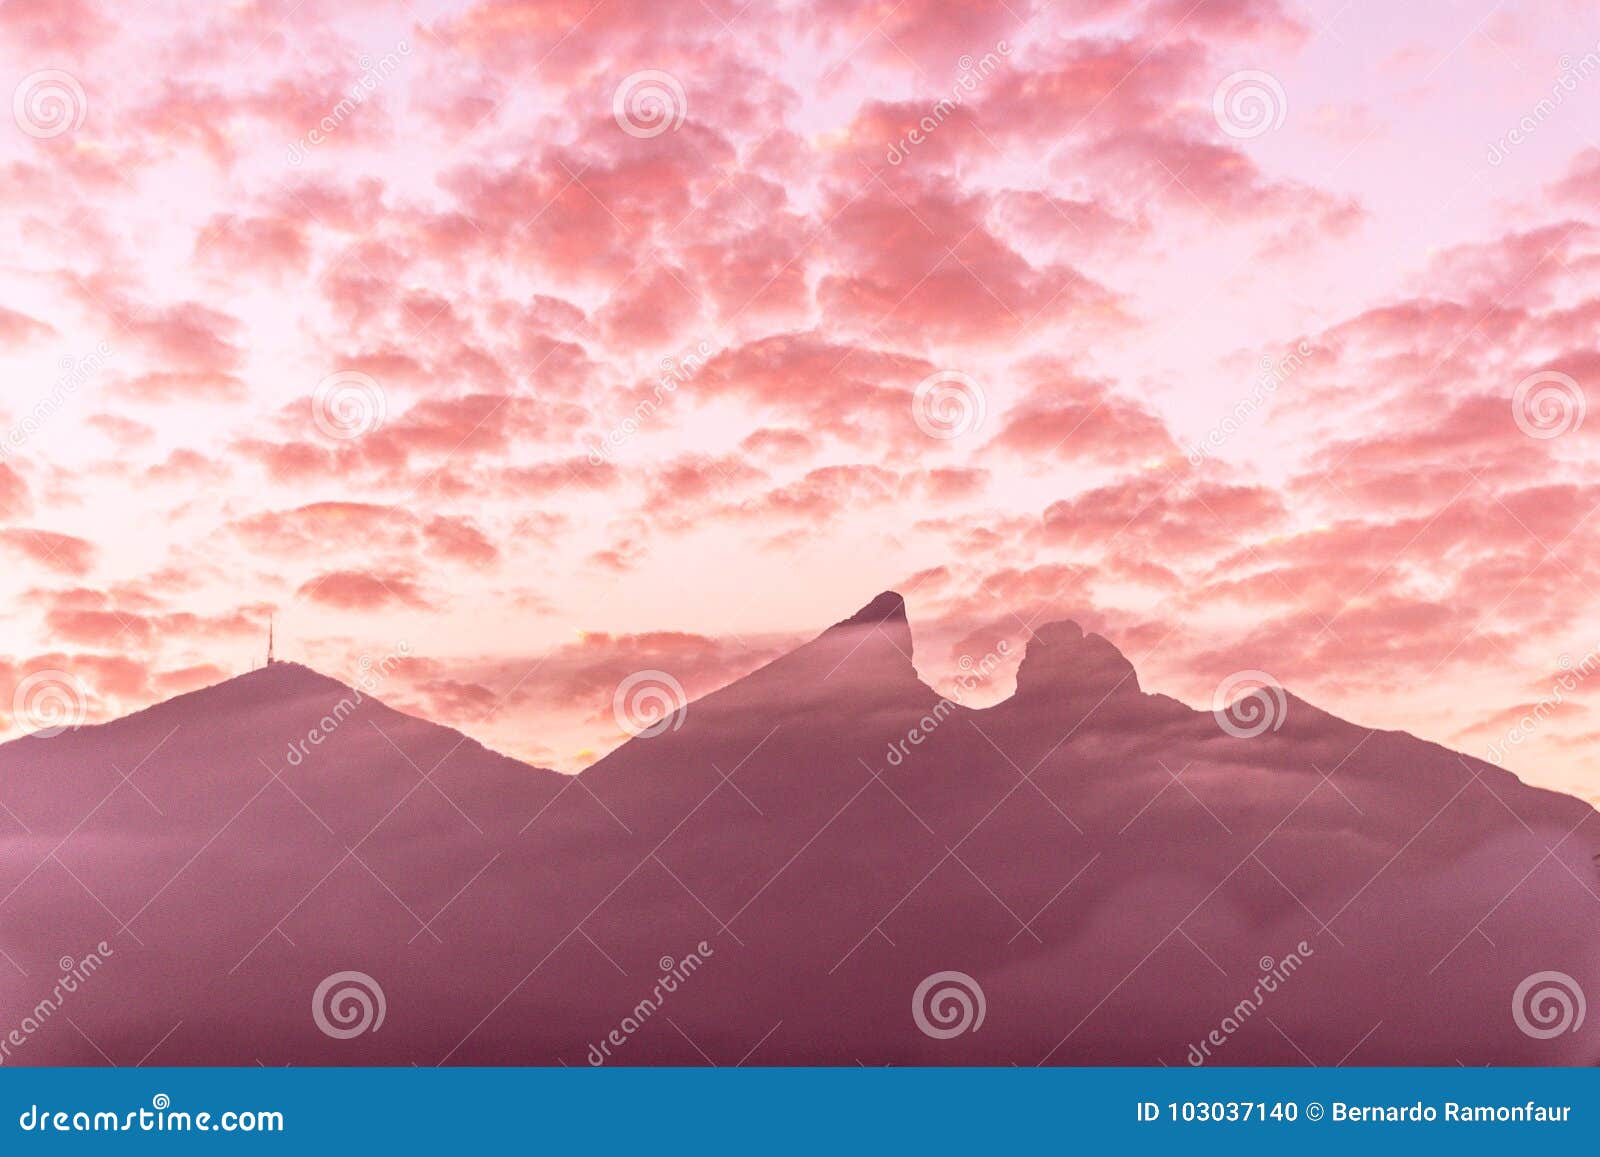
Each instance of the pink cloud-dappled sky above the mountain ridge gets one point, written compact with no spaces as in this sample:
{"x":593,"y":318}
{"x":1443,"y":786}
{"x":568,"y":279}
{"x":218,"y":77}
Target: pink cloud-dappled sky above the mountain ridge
{"x":390,"y":367}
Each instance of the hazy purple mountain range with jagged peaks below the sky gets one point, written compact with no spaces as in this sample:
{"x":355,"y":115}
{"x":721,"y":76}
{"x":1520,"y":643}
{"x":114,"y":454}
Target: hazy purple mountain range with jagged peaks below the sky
{"x":825,"y":862}
